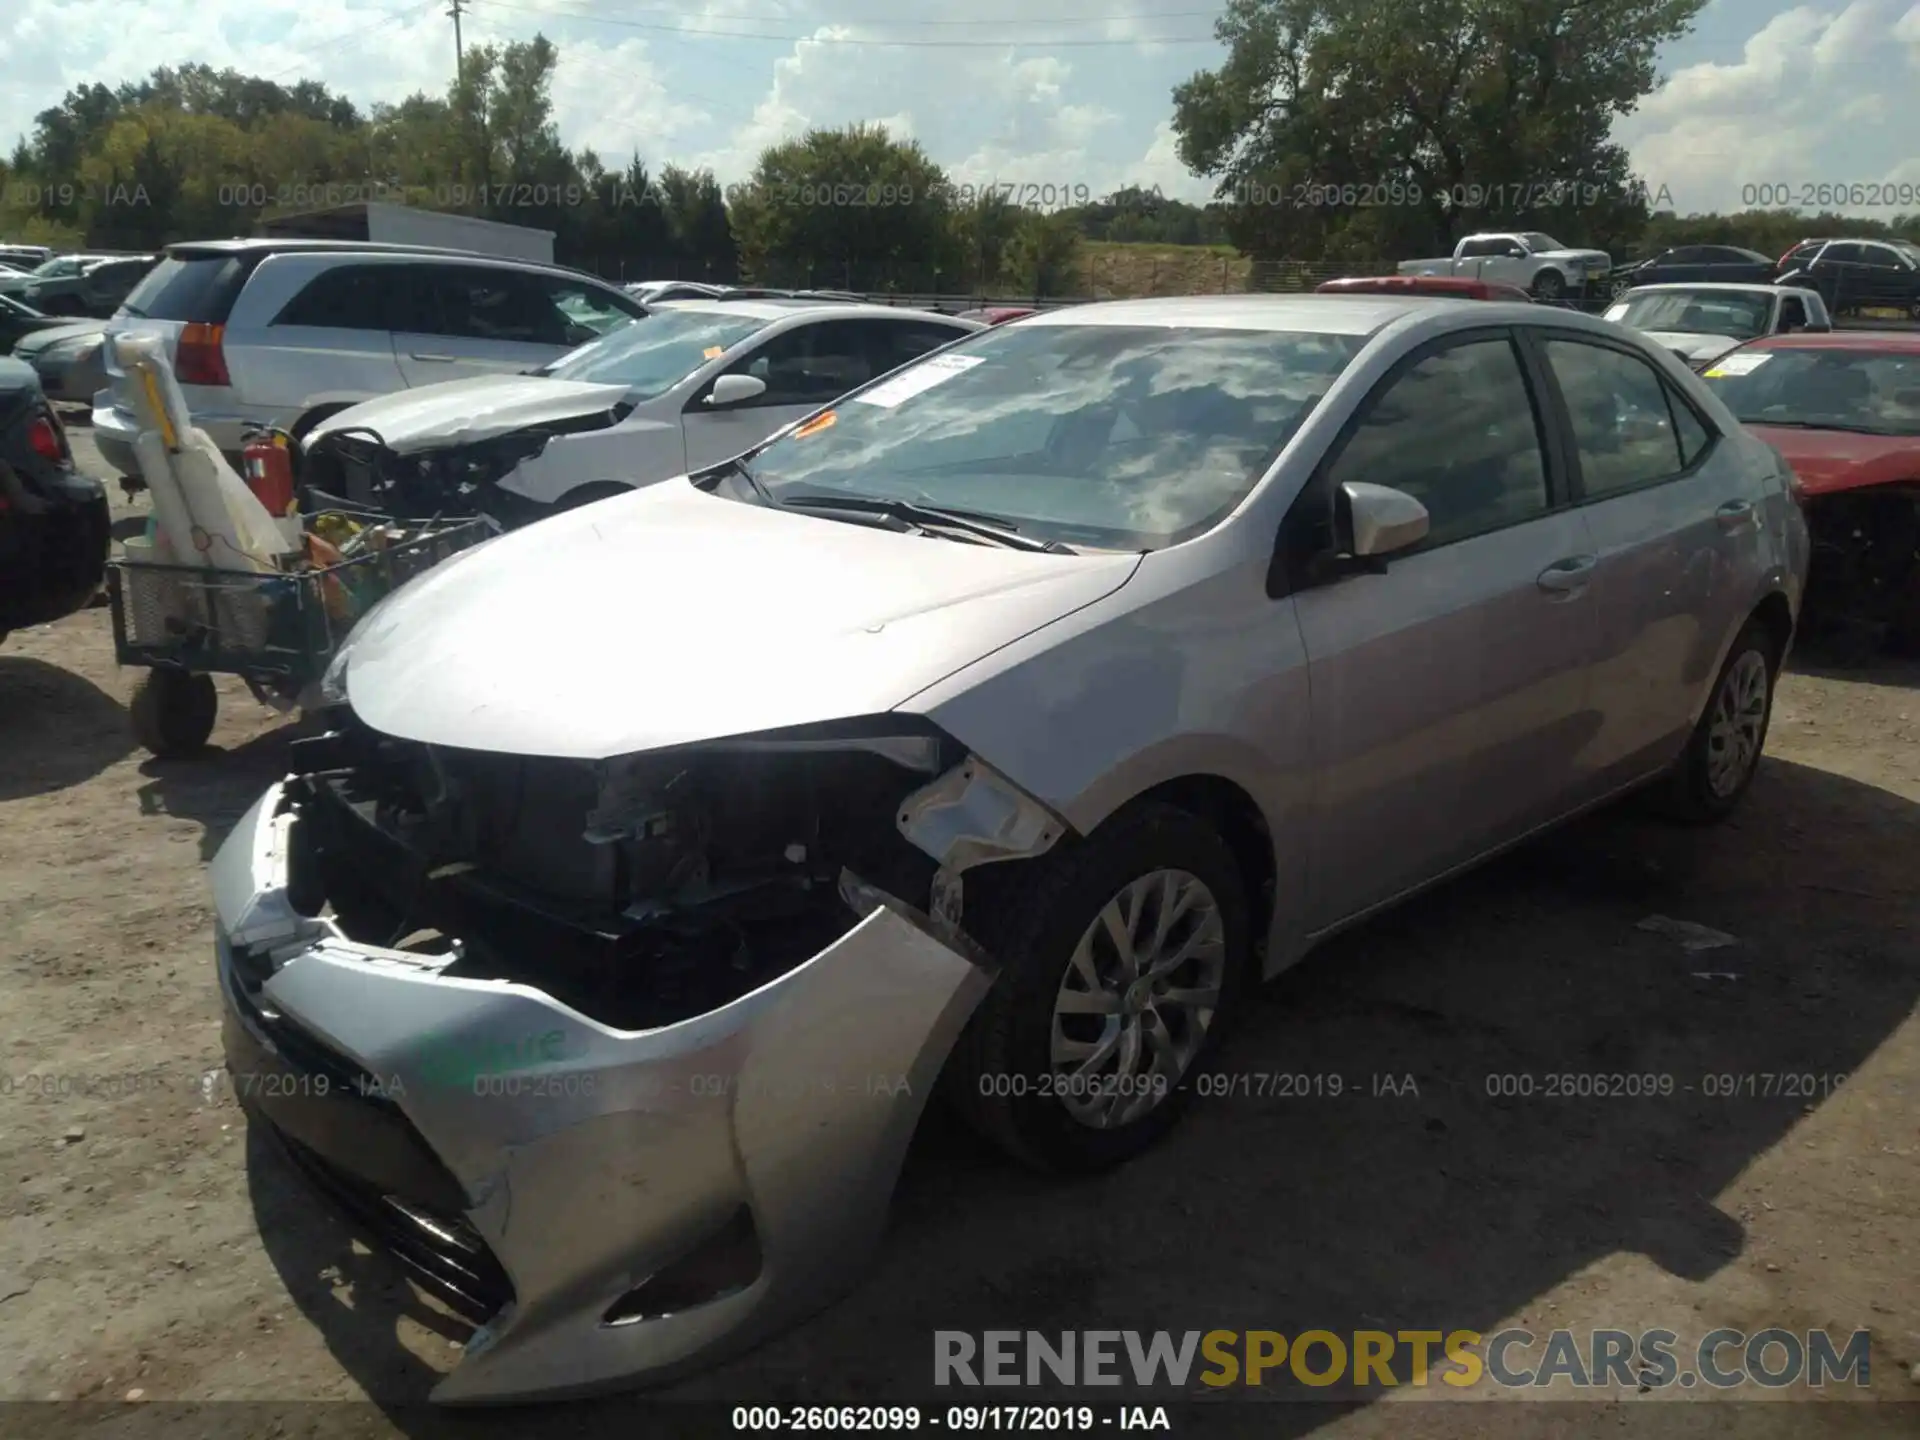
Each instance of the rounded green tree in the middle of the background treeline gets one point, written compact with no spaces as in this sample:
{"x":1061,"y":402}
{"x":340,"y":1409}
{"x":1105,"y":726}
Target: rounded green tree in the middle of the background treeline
{"x":848,"y":208}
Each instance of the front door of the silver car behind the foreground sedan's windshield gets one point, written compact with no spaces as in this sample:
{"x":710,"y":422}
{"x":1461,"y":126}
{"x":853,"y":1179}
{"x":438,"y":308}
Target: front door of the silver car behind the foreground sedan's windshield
{"x":804,"y":368}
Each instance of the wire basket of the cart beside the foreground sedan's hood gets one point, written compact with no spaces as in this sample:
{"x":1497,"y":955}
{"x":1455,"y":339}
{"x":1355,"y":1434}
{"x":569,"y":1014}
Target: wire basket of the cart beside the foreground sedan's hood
{"x":268,"y":627}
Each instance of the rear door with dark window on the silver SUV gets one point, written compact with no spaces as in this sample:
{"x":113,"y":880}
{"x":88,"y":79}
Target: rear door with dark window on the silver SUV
{"x":469,"y":320}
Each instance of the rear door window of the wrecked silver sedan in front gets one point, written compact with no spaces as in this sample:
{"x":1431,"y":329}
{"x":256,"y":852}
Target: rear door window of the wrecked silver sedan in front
{"x":1621,"y":423}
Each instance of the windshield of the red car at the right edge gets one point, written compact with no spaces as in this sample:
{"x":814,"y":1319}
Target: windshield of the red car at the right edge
{"x":1875,"y":393}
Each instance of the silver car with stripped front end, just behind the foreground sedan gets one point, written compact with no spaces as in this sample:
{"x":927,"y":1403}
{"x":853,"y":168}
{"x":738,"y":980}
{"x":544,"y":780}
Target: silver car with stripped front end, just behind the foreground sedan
{"x":694,"y":387}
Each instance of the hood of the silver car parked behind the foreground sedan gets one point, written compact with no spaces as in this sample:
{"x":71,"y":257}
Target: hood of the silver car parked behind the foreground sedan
{"x":468,"y":412}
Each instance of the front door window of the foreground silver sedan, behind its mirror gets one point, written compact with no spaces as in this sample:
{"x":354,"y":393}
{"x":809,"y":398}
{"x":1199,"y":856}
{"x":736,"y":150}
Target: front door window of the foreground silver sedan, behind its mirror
{"x":1460,"y":435}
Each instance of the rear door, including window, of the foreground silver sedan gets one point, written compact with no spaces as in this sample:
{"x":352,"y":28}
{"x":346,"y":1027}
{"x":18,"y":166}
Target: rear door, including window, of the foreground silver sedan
{"x":1675,"y":521}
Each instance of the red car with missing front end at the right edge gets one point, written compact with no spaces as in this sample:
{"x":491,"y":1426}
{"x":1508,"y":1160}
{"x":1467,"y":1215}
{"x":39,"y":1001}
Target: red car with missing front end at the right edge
{"x":1844,"y":408}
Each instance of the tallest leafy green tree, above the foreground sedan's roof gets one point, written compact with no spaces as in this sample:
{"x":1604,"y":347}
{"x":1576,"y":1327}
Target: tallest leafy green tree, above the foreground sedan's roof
{"x":1441,"y":116}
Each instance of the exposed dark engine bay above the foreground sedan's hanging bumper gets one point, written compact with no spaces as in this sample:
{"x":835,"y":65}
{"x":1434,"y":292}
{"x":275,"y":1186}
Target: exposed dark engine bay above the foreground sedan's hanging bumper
{"x":638,"y":892}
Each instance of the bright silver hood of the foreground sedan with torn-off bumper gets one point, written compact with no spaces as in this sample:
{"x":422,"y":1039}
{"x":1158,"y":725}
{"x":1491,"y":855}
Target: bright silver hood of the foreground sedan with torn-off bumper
{"x":671,"y":617}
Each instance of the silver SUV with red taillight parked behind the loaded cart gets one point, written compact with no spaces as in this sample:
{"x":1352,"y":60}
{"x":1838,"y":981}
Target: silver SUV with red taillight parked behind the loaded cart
{"x":287,"y":333}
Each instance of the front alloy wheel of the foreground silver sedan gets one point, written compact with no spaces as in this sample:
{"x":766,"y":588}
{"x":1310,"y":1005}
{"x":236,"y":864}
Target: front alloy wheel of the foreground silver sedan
{"x":1138,"y":999}
